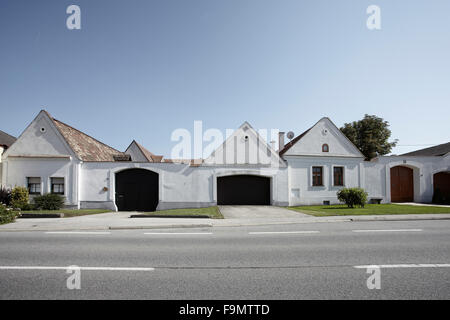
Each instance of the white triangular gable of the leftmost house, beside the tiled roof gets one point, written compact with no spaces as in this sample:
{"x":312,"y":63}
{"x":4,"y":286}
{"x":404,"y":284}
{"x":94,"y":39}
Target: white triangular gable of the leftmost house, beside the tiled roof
{"x":40,"y":138}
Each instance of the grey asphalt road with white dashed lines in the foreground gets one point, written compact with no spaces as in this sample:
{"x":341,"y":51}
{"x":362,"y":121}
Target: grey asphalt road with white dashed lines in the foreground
{"x":298,"y":261}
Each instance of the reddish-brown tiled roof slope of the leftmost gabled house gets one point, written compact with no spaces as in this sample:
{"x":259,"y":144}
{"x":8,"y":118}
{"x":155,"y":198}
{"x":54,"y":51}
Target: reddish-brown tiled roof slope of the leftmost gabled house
{"x":85,"y":147}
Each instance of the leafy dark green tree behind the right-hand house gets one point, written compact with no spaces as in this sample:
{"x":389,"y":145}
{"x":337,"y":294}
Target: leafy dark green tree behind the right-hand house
{"x":370,"y":135}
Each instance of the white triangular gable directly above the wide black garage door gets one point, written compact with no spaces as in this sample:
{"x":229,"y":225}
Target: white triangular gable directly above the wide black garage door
{"x":245,"y":146}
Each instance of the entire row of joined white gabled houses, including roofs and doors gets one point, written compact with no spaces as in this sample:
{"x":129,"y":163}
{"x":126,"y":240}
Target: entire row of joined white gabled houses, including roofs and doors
{"x":51,"y":156}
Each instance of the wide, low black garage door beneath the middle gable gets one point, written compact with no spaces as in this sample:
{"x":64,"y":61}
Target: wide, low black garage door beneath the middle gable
{"x":243,"y":189}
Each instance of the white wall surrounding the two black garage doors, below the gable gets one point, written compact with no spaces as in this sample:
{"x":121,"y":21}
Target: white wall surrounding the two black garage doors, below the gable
{"x":180,"y":185}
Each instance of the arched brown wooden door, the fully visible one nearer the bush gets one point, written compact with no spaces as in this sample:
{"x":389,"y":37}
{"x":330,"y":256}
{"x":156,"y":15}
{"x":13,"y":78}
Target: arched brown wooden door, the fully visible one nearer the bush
{"x":402,"y":184}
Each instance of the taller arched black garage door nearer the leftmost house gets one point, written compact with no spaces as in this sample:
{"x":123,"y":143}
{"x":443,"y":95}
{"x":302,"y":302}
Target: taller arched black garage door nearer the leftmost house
{"x":137,"y":190}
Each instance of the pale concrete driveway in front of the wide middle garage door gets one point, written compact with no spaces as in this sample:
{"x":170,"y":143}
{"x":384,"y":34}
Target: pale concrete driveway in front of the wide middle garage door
{"x":258,"y":212}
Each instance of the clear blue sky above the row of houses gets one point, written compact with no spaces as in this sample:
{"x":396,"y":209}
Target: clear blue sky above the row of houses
{"x":140,"y":69}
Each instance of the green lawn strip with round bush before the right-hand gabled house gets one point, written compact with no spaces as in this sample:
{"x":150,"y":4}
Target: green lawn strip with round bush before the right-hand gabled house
{"x":369,"y":209}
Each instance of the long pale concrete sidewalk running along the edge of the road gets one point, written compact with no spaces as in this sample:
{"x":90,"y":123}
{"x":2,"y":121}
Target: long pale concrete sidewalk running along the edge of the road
{"x":121,"y":221}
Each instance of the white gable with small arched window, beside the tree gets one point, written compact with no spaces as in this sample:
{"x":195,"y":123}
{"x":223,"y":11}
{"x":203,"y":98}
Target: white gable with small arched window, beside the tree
{"x":323,"y":132}
